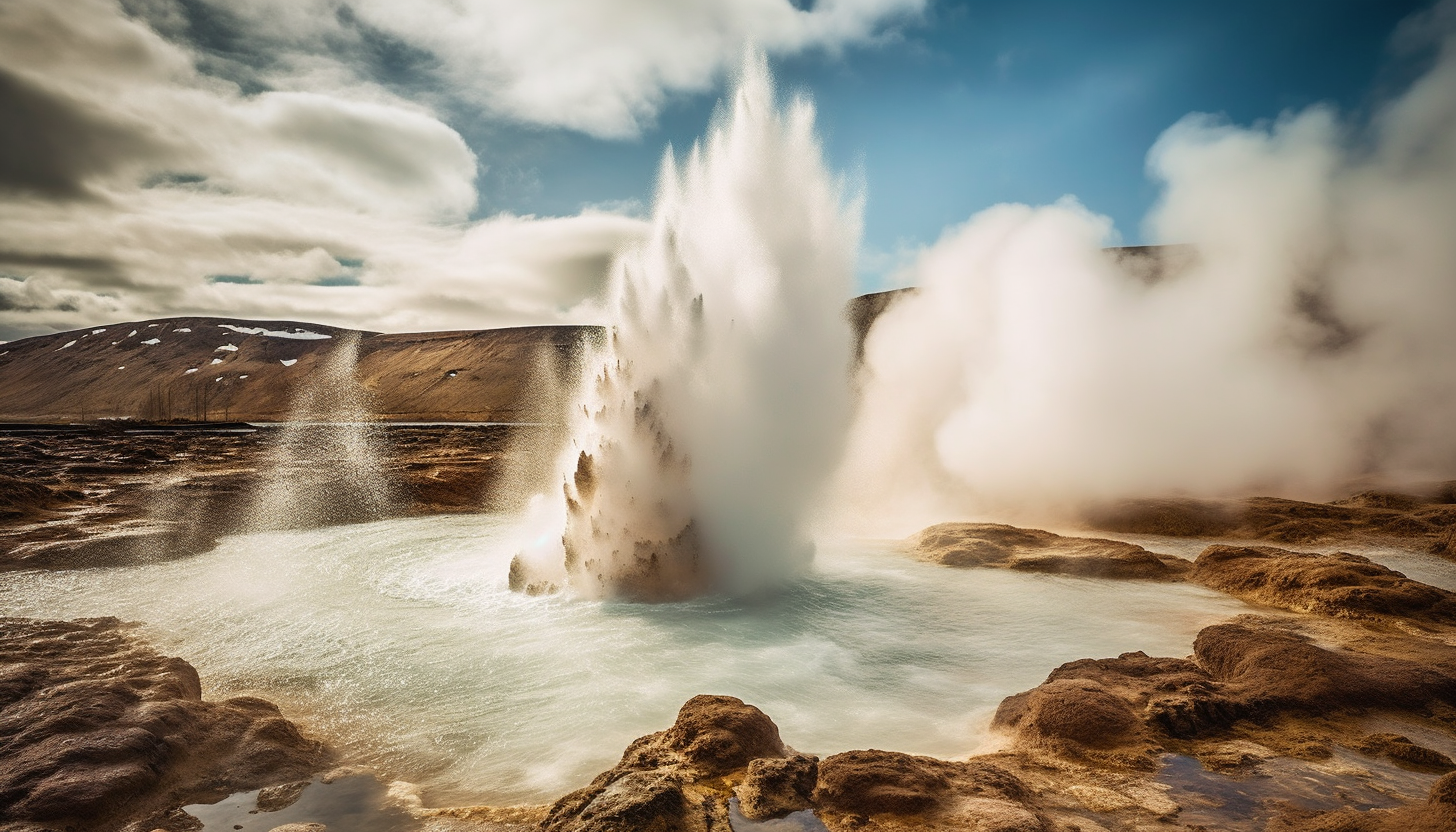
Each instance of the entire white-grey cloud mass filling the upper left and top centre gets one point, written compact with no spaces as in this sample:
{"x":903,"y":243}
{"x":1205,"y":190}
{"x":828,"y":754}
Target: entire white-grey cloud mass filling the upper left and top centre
{"x":293,"y":158}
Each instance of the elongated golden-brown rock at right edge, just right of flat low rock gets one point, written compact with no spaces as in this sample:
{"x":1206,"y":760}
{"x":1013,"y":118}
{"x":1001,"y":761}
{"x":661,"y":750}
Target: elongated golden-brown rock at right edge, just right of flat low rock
{"x":1337,"y":585}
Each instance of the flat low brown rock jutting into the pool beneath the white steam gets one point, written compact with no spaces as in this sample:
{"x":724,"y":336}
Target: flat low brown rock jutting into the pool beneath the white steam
{"x":1034,"y":550}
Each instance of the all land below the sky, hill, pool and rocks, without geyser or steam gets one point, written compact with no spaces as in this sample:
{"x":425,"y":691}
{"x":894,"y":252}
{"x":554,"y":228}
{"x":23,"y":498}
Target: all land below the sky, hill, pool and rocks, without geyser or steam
{"x":1320,"y":691}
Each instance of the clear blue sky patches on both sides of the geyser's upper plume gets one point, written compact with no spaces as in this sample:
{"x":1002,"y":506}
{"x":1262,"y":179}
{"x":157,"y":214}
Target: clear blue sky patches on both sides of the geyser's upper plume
{"x":995,"y":103}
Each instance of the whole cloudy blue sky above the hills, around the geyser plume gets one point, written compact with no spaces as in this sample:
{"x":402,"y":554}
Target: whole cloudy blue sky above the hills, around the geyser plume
{"x":404,"y":165}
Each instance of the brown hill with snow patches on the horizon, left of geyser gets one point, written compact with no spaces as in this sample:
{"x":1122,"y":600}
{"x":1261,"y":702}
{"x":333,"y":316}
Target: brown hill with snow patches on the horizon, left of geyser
{"x":231,"y":369}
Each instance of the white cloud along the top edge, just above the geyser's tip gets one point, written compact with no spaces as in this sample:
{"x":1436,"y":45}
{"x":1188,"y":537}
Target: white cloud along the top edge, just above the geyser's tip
{"x":598,"y":66}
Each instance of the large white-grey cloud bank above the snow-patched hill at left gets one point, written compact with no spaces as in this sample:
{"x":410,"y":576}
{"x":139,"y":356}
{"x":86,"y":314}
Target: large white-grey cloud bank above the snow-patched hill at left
{"x":129,"y":178}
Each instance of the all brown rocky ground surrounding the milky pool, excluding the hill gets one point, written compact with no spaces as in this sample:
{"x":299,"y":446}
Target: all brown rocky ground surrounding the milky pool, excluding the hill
{"x":1332,"y":710}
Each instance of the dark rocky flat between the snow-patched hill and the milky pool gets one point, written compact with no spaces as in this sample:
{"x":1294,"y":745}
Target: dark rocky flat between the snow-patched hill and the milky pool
{"x":132,"y":493}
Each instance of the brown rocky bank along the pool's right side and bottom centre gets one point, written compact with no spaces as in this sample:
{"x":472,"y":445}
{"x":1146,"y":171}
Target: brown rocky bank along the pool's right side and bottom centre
{"x":1334,"y":712}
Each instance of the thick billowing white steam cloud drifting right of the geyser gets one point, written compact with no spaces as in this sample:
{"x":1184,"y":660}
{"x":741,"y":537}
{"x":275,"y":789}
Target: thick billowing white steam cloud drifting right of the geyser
{"x":1308,"y":340}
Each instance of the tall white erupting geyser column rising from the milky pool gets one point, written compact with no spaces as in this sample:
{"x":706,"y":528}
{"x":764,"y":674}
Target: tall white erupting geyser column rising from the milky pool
{"x":713,"y":413}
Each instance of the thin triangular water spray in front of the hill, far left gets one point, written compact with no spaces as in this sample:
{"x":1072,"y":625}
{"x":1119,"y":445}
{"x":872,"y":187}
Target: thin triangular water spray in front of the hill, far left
{"x":325,"y":466}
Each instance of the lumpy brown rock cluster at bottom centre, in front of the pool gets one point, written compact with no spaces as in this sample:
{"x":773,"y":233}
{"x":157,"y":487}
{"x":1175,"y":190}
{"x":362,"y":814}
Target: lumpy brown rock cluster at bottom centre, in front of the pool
{"x":721,"y":748}
